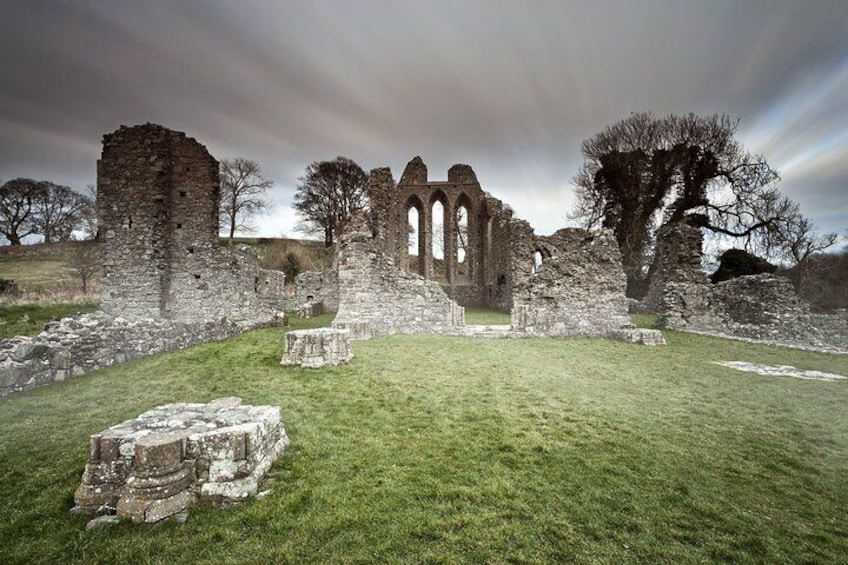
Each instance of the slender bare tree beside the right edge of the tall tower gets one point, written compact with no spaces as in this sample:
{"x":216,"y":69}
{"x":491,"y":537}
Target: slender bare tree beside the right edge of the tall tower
{"x":243,"y":195}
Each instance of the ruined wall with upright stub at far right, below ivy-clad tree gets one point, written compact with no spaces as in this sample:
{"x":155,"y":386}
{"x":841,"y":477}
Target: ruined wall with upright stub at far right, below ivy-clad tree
{"x":761,"y":307}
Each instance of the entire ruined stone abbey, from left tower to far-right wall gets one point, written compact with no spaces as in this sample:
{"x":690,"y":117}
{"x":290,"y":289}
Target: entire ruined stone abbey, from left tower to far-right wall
{"x":166,"y":283}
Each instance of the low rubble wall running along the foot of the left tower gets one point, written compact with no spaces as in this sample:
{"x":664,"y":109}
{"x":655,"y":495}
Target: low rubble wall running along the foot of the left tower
{"x":87,"y":342}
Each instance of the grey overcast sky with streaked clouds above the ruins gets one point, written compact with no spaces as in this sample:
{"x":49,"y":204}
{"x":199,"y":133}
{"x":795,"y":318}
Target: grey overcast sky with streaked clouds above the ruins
{"x":510,"y":88}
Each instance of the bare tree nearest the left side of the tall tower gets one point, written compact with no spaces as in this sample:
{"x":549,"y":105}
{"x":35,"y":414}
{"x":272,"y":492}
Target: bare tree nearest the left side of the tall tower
{"x":57,"y":211}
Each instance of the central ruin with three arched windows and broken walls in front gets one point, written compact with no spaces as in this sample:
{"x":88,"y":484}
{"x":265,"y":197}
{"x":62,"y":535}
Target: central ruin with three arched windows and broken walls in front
{"x":565,"y":284}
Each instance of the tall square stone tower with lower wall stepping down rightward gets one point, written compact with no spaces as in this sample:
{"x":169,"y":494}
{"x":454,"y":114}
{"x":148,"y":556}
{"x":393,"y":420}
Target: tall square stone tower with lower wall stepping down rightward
{"x":158,"y":196}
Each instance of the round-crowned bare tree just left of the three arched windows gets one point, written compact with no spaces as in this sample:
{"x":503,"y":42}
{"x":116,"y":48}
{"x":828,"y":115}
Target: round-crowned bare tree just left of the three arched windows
{"x":328,"y":195}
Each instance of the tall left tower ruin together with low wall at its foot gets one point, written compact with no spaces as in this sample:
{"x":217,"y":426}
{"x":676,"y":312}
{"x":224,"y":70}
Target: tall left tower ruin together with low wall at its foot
{"x":165,"y":282}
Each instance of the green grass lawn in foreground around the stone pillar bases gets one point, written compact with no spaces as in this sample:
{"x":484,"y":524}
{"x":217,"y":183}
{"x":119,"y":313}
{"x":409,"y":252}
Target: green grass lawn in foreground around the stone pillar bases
{"x":453,"y":450}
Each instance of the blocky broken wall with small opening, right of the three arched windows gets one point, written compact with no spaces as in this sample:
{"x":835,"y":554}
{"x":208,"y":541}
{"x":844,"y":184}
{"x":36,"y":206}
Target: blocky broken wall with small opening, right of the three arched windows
{"x":569,"y":283}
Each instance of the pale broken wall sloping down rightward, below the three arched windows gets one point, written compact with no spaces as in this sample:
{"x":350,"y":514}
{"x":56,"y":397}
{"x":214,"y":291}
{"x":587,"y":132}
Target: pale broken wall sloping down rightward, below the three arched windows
{"x":374,"y":290}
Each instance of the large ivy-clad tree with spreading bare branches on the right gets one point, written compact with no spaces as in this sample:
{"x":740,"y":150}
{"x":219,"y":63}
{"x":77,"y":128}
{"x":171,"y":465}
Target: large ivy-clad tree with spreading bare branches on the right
{"x":644,"y":171}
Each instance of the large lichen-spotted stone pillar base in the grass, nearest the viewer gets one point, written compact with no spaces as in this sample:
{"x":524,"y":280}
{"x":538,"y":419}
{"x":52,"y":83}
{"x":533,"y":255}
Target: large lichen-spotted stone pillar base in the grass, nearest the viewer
{"x":159,"y":464}
